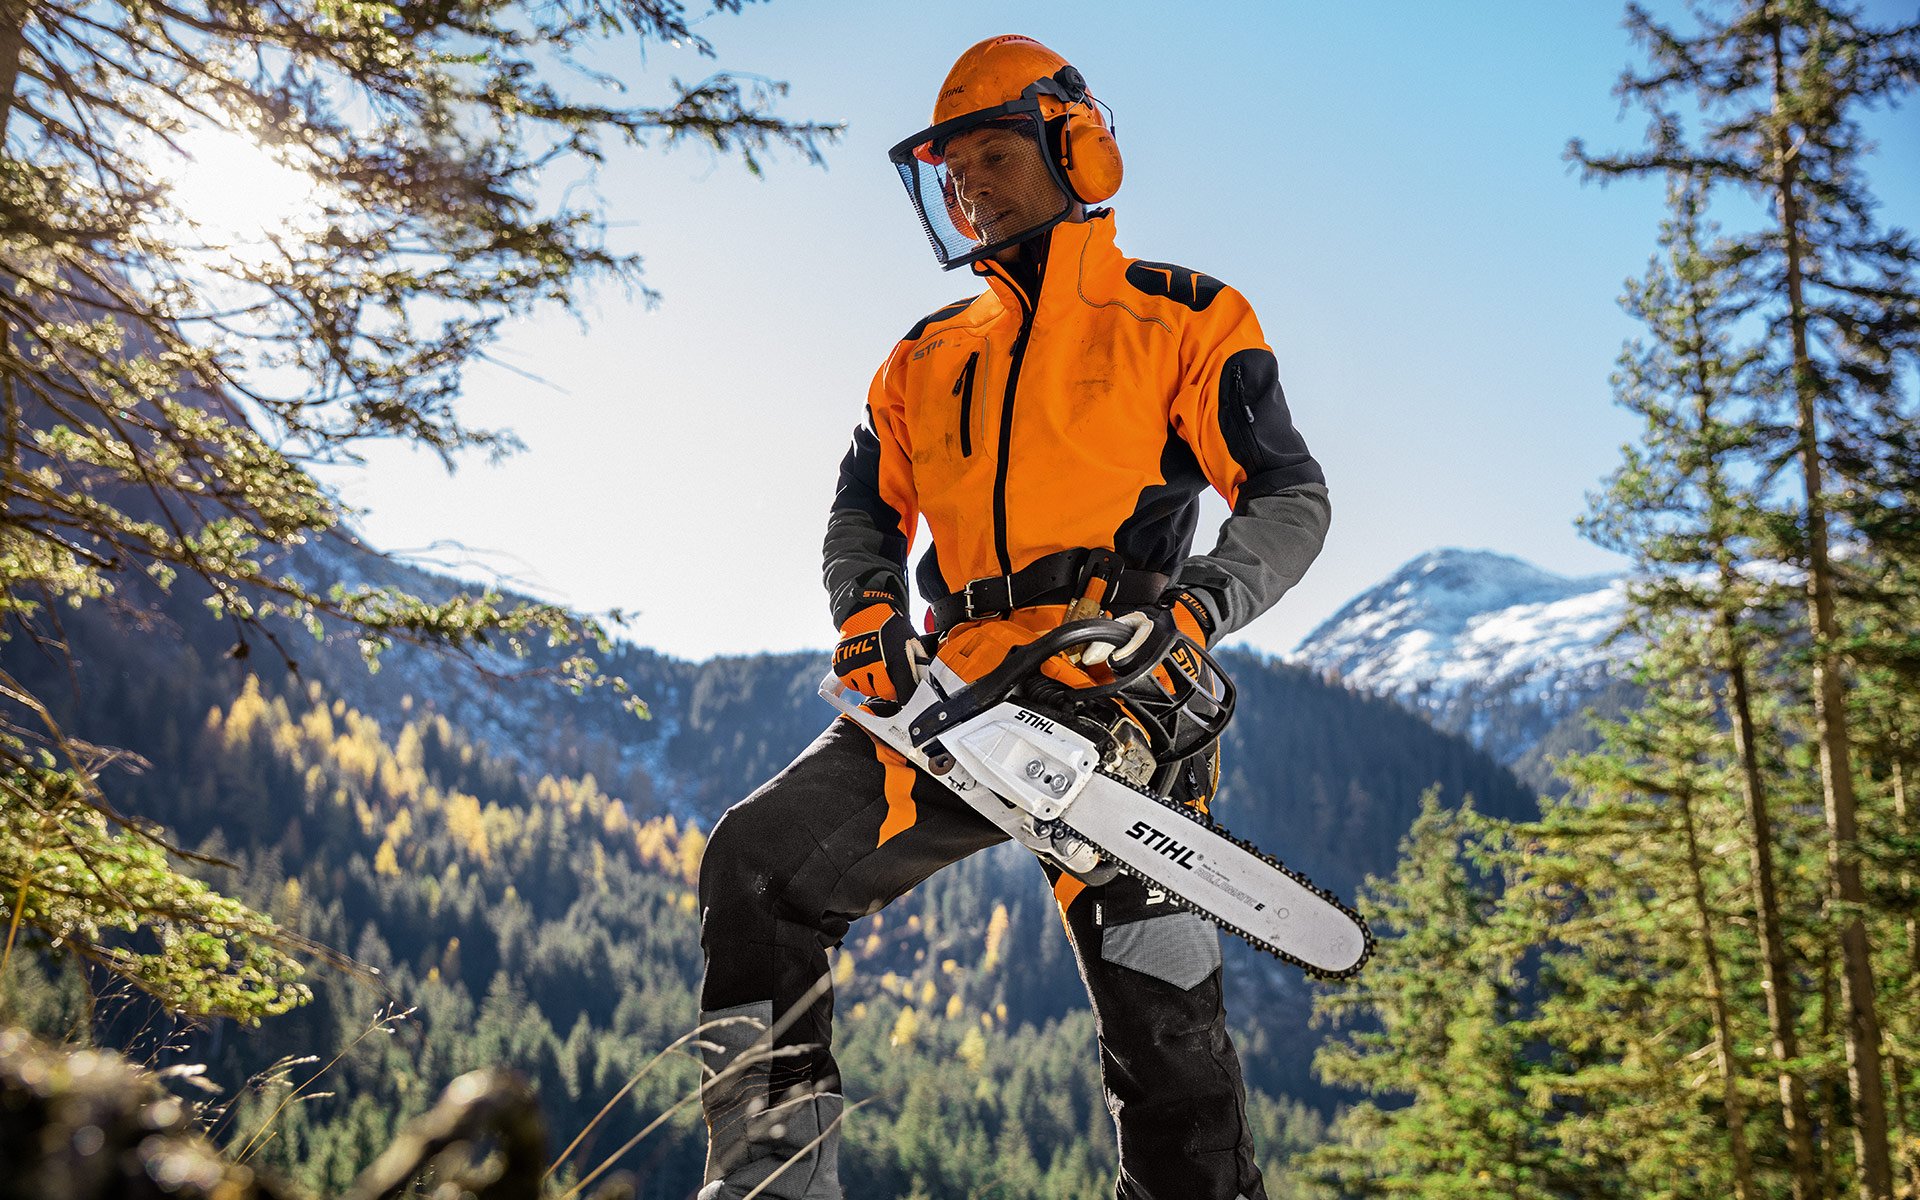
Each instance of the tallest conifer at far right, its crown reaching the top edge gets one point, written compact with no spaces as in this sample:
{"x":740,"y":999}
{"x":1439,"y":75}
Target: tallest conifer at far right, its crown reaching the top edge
{"x":1781,"y":87}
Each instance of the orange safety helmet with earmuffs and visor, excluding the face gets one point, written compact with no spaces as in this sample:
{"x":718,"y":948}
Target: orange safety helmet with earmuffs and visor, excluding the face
{"x":1019,"y":84}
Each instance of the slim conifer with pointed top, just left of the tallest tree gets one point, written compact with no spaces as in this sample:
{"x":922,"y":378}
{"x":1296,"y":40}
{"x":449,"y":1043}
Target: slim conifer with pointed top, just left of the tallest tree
{"x":1679,"y":510}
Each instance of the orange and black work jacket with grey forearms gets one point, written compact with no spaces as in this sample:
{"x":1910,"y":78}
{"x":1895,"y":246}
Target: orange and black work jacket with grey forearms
{"x":1086,"y":416}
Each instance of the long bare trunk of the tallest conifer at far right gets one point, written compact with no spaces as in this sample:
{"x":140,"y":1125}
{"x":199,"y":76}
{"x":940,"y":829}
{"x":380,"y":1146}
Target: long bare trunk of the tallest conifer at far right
{"x":1865,"y":1080}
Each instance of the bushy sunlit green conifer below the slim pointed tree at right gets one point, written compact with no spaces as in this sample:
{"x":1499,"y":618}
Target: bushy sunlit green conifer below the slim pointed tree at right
{"x":1644,"y":969}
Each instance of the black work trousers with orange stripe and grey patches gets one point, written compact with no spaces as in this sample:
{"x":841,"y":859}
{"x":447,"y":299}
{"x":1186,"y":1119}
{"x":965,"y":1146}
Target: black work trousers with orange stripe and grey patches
{"x":852,"y":827}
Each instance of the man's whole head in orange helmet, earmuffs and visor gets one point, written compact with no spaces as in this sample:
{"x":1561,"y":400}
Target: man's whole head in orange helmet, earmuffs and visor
{"x":1017,"y":143}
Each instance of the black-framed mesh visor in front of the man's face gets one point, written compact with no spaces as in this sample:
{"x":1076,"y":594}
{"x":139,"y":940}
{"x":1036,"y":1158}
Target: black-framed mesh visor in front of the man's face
{"x":984,"y":181}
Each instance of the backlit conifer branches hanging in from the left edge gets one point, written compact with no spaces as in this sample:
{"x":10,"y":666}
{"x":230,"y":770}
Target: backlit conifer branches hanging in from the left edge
{"x":160,"y":395}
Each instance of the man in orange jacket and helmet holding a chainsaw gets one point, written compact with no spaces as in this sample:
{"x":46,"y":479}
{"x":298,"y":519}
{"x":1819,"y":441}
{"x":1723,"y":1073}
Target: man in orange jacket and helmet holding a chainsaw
{"x":1076,"y":406}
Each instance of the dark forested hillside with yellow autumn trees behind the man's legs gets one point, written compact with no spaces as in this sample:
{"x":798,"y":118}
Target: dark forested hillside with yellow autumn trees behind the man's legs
{"x":544,"y":921}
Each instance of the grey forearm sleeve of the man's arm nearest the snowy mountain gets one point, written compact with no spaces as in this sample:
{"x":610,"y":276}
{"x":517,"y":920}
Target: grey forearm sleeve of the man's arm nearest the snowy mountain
{"x":1264,"y":548}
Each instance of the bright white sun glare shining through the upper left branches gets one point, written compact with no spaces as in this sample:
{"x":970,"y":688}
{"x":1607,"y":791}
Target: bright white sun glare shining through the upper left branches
{"x":235,"y":197}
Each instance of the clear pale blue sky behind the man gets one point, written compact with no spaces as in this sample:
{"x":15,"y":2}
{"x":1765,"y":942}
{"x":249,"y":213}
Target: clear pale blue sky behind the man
{"x":1385,"y":183}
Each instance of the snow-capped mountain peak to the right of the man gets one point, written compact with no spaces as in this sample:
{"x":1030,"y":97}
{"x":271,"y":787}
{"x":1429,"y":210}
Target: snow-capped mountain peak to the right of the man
{"x":1481,"y":642}
